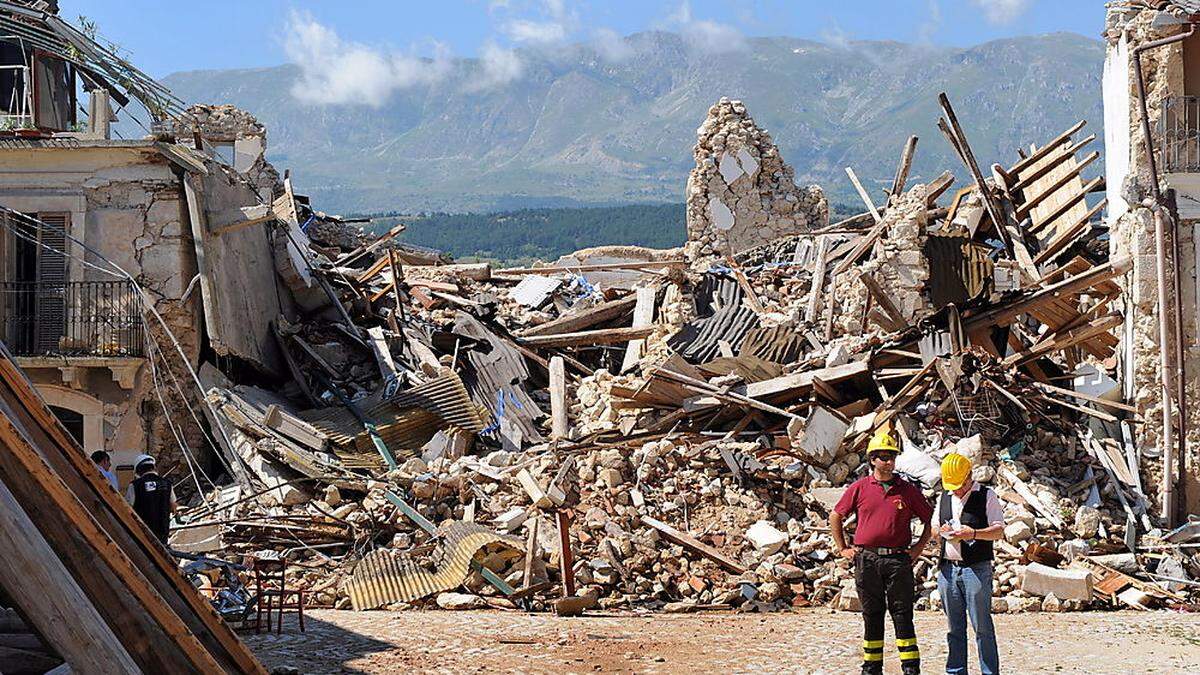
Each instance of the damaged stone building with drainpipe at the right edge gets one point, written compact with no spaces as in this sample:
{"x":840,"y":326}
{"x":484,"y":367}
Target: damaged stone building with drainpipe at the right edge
{"x":1153,"y":169}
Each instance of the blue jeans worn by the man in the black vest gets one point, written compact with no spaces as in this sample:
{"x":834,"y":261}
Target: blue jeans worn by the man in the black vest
{"x":967,"y":592}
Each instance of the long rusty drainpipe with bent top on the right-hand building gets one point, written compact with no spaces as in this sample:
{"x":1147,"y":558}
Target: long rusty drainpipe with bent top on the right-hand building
{"x":1165,"y":332}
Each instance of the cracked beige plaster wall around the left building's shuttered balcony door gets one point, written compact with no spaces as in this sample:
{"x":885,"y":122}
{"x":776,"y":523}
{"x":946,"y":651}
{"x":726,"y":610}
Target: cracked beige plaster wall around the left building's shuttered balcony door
{"x":127,"y":204}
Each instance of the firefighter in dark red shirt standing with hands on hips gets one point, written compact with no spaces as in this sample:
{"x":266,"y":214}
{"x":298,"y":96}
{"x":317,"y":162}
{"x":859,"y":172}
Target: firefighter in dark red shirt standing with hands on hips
{"x":884,"y":552}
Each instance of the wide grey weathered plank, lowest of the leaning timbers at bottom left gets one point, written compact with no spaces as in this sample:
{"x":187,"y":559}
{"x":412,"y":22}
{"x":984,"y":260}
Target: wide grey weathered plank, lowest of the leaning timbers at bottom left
{"x":50,"y":598}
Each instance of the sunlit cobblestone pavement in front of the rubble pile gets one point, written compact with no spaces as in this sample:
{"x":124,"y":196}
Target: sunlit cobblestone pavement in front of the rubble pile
{"x":805,"y":642}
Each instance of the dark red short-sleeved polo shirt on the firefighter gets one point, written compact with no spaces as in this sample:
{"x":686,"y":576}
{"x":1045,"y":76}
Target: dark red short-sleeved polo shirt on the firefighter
{"x":885,"y":517}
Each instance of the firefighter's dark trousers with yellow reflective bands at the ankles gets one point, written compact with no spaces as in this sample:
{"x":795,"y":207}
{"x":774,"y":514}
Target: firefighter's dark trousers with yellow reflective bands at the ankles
{"x":886,"y":586}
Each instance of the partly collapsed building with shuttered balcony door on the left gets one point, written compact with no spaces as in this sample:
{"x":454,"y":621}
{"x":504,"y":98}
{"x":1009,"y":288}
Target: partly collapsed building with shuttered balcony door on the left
{"x":170,"y":216}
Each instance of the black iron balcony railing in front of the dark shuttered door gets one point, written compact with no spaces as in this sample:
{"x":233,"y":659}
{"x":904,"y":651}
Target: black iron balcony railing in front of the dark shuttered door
{"x":77,"y":319}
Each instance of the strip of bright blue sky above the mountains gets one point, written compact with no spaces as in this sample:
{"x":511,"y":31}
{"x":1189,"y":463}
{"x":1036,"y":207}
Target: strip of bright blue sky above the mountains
{"x":164,"y":38}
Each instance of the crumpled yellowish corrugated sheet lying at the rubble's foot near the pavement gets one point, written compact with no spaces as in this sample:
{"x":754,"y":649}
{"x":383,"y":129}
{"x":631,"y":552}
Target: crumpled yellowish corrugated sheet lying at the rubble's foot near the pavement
{"x":385,"y":577}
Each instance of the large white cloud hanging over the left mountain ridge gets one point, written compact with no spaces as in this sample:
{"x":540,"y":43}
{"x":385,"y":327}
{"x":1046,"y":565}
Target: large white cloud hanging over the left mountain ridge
{"x":334,"y":71}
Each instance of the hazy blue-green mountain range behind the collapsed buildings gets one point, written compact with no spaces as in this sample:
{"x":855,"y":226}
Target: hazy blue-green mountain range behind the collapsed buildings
{"x":578,"y":129}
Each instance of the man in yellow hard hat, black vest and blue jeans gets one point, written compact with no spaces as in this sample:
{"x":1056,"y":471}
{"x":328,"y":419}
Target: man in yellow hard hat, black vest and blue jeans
{"x":969,"y":518}
